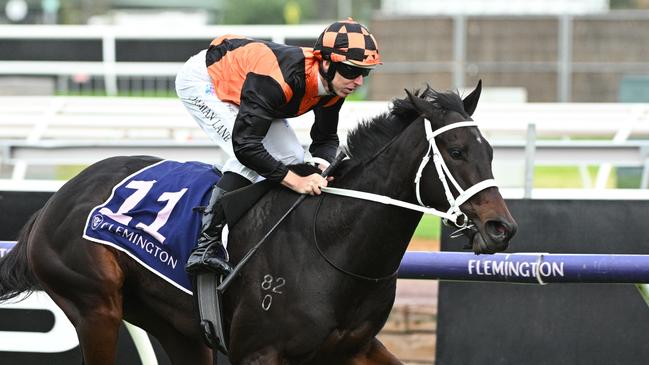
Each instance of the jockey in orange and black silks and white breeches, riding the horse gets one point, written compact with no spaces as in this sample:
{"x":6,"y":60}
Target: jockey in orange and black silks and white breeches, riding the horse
{"x":240,"y":91}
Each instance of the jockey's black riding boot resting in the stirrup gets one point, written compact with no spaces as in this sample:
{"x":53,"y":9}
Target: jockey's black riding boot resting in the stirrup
{"x":209,"y":253}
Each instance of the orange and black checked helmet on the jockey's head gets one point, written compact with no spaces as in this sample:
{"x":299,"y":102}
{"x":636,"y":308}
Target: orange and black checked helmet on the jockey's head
{"x":349,"y":42}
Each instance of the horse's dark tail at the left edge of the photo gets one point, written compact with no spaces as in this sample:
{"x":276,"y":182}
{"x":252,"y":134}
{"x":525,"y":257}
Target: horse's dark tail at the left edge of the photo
{"x":15,"y":274}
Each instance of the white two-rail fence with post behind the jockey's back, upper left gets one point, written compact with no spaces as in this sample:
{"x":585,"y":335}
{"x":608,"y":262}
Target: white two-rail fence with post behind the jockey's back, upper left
{"x":109,"y":68}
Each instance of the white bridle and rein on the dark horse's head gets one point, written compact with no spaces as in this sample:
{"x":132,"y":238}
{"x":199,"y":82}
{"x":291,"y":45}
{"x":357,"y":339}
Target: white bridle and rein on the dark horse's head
{"x":454,"y":213}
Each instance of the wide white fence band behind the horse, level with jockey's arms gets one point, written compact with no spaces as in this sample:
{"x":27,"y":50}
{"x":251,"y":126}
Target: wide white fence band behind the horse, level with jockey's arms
{"x":82,"y":130}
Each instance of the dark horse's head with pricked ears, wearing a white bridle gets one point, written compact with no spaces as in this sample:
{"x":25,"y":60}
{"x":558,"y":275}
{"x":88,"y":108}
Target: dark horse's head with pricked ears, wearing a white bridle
{"x":462,"y":180}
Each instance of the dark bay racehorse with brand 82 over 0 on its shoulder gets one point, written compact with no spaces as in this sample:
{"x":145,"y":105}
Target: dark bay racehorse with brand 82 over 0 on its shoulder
{"x":320,"y":288}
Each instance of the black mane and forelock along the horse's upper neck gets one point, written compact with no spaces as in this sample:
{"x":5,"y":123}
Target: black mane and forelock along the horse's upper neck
{"x":371,"y":135}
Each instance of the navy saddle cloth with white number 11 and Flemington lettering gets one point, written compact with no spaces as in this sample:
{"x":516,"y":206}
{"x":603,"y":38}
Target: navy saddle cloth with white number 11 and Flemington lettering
{"x":150,"y":216}
